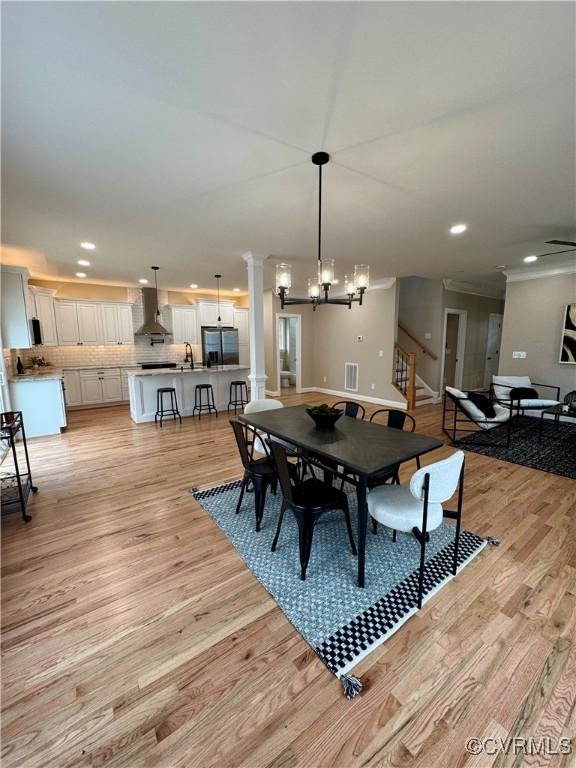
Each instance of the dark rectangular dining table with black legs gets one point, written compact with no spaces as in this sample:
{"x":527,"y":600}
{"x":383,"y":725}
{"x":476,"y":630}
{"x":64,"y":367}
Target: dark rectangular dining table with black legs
{"x":363,"y":448}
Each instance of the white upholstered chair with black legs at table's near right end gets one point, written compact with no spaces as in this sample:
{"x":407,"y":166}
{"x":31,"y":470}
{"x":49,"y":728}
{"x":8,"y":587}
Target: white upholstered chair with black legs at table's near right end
{"x":417,"y":508}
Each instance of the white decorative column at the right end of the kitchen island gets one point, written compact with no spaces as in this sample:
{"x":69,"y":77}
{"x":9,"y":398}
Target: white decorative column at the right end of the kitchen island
{"x":255,"y":265}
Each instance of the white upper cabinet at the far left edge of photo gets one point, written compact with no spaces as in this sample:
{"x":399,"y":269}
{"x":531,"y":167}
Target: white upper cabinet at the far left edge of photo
{"x":15,"y":310}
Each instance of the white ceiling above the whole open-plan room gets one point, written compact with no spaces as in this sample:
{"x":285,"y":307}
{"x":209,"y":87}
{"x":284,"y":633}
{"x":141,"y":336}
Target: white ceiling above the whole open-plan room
{"x":180,"y":134}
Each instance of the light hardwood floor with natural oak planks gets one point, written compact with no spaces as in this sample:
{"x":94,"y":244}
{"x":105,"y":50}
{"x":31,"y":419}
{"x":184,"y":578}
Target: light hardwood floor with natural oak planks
{"x":133,"y":635}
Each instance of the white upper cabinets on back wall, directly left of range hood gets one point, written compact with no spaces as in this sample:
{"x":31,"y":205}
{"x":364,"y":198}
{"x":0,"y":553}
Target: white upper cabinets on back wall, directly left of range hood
{"x":86,"y":323}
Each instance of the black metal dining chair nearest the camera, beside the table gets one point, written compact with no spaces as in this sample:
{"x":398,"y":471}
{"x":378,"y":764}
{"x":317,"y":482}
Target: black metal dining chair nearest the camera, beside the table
{"x":308,"y":500}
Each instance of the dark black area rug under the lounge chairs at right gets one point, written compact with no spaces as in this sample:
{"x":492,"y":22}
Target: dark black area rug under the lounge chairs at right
{"x":555,"y":452}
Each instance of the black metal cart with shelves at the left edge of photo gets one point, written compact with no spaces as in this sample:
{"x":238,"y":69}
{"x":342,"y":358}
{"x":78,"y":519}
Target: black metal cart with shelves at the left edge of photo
{"x":16,"y":485}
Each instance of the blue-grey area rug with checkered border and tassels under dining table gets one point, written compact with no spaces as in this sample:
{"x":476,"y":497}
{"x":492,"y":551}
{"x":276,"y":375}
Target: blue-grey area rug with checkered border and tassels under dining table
{"x":341,"y":622}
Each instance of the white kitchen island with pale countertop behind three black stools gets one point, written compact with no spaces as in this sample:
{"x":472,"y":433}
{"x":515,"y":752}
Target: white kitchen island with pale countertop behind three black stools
{"x":143,"y":385}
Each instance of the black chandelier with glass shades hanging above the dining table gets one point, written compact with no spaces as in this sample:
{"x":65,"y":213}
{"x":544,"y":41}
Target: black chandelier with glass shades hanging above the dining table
{"x":319,"y":286}
